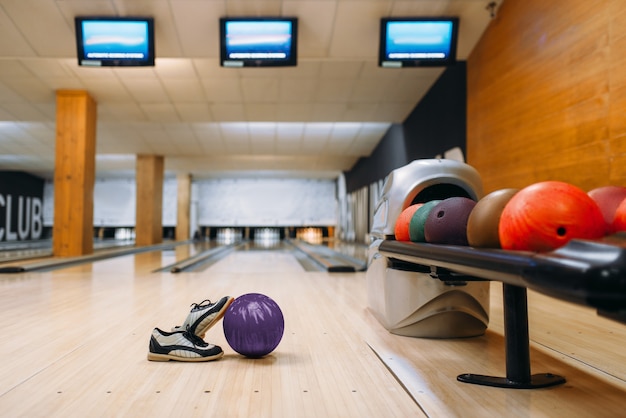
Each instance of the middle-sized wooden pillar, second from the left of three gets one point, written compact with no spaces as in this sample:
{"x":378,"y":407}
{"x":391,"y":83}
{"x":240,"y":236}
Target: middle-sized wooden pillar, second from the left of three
{"x":149,"y":207}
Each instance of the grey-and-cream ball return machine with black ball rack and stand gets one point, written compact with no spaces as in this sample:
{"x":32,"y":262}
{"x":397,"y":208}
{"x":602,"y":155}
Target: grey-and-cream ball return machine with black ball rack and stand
{"x":442,"y":291}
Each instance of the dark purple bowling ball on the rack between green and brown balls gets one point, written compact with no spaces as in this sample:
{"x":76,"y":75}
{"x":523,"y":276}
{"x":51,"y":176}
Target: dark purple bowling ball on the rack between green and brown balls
{"x":447,"y":221}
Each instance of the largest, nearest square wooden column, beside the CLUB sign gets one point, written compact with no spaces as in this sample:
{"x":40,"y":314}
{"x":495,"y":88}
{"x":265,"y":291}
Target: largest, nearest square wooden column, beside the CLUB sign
{"x":74,"y":173}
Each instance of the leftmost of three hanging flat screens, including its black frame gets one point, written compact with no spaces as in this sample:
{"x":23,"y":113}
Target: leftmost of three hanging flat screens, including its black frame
{"x":115,"y":41}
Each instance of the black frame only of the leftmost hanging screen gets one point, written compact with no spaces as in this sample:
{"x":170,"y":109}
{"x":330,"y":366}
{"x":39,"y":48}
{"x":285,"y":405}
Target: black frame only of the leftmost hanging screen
{"x":148,"y":61}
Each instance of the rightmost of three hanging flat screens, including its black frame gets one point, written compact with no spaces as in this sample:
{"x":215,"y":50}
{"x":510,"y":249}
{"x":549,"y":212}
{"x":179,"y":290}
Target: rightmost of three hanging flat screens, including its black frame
{"x":416,"y":42}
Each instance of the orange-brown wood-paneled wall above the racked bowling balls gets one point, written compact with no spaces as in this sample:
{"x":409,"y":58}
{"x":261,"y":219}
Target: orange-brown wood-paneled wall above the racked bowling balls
{"x":547,"y":94}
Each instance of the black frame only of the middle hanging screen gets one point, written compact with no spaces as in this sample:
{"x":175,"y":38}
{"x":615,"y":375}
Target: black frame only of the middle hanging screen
{"x":290,"y":61}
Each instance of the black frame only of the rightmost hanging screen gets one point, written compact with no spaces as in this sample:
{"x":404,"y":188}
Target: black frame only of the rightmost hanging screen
{"x":451,"y":59}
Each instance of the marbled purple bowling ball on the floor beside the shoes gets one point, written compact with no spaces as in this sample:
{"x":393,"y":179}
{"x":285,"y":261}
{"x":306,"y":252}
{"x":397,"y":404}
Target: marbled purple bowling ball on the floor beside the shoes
{"x":253,"y":325}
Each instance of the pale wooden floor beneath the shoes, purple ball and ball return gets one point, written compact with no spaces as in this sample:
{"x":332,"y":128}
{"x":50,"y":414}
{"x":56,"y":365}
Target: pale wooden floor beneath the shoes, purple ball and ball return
{"x":75,"y":344}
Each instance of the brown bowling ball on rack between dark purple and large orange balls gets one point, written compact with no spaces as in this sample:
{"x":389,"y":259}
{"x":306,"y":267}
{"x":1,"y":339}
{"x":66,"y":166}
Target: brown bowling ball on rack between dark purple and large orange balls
{"x":482,"y":225}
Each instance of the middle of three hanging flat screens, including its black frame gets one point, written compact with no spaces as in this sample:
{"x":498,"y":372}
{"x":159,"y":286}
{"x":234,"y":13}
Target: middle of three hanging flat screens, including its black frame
{"x":258,"y":42}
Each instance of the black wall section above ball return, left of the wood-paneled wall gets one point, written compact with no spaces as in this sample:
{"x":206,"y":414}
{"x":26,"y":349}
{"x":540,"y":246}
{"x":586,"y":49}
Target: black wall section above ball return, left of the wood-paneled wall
{"x":437,"y":124}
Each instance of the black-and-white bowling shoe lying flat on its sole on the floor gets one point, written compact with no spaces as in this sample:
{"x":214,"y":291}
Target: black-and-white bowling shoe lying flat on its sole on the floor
{"x":181,"y":346}
